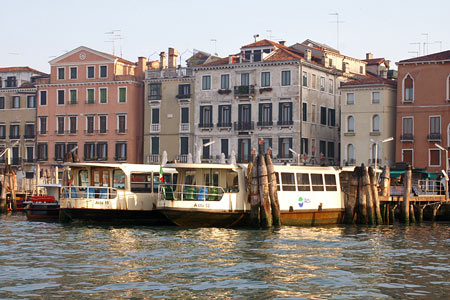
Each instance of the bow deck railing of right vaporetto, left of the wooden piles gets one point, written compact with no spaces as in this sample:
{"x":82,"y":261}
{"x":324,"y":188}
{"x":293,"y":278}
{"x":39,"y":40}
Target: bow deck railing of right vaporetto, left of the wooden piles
{"x":186,"y":192}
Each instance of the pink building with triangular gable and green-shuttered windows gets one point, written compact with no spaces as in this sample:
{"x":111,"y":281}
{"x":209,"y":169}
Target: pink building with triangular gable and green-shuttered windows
{"x":92,"y":100}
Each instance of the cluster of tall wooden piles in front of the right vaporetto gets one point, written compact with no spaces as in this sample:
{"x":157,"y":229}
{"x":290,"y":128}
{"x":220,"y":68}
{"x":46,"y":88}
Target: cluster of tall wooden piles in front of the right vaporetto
{"x":263,"y":192}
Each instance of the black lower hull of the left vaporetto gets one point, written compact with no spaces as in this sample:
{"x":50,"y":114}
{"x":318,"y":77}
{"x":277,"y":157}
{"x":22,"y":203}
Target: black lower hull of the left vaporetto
{"x":113,"y":216}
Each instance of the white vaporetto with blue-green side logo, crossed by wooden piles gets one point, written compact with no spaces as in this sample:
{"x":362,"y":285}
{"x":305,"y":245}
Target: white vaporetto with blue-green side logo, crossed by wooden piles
{"x":216,"y":195}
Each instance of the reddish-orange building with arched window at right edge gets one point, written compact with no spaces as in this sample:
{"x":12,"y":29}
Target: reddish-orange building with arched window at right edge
{"x":423,"y":111}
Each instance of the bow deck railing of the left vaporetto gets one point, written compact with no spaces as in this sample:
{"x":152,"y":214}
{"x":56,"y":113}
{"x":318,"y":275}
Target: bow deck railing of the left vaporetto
{"x":88,"y":192}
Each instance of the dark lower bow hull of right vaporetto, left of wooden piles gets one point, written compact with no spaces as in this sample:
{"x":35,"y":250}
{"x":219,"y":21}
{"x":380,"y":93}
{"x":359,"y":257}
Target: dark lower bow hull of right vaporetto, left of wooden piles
{"x":204,"y":218}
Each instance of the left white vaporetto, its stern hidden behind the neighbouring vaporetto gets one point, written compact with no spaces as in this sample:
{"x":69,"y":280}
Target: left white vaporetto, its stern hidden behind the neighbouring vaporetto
{"x":112,"y":193}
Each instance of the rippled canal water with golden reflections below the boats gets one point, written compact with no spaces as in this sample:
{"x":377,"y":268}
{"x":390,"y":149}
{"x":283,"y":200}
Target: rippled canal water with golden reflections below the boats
{"x":54,"y":261}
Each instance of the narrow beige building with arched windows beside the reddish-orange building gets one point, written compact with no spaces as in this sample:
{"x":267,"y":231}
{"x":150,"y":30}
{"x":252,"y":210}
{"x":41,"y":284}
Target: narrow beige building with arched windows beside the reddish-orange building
{"x":368,"y":112}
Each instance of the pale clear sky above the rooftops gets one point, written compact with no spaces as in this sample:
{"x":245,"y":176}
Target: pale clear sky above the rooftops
{"x":35,"y":32}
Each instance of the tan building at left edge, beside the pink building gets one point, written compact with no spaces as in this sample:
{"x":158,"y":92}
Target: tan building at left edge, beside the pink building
{"x":18,"y":116}
